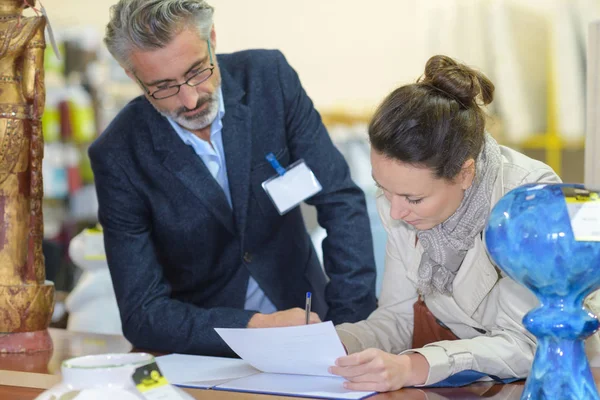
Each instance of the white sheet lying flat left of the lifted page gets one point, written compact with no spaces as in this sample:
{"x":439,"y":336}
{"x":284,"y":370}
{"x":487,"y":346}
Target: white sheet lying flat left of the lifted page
{"x":202,"y":371}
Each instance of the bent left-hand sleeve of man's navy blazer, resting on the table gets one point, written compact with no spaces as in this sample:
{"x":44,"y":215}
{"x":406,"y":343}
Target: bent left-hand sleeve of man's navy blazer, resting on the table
{"x":150,"y":318}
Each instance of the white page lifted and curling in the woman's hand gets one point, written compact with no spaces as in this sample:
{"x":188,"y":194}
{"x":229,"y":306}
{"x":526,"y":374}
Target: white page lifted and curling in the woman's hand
{"x":303,"y":350}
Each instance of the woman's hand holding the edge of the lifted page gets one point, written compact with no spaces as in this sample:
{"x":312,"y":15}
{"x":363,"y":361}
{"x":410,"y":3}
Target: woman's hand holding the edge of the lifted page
{"x":374,"y":369}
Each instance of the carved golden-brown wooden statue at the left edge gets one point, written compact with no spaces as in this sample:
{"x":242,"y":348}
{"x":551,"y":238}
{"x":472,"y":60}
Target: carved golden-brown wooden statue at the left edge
{"x":26,"y":298}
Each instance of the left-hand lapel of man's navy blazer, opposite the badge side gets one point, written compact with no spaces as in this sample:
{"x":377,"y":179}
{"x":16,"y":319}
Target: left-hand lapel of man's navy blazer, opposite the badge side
{"x":184,"y":163}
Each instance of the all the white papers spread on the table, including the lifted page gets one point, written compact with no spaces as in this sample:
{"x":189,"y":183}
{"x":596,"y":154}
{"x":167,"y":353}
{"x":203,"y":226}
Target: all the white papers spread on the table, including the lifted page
{"x":290,"y":361}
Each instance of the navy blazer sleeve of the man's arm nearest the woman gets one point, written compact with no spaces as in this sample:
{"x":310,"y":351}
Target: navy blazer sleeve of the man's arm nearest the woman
{"x":348,"y":248}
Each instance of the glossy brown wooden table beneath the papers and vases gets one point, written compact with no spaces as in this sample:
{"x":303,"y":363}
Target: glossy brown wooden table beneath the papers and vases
{"x":24,"y":377}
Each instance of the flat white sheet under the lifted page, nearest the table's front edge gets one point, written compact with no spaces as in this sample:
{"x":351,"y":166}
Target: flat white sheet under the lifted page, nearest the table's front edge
{"x":294,"y":385}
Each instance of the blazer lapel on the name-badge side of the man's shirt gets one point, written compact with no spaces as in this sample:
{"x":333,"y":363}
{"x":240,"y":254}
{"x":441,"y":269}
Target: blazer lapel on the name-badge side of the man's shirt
{"x":237,"y":142}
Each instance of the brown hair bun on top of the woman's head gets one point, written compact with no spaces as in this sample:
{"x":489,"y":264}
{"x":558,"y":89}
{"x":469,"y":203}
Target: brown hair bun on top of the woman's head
{"x":459,"y":81}
